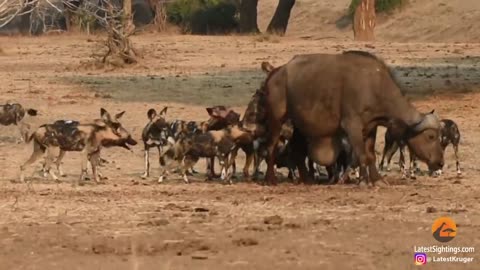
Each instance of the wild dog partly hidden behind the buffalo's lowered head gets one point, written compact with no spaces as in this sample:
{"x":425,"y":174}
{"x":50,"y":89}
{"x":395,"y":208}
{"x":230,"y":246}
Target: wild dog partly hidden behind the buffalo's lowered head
{"x":449,"y":134}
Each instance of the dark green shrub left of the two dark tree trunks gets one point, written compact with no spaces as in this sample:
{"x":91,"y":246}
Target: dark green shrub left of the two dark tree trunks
{"x":204,"y":16}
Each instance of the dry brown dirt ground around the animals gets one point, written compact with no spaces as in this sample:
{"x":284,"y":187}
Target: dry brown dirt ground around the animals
{"x":129,"y":223}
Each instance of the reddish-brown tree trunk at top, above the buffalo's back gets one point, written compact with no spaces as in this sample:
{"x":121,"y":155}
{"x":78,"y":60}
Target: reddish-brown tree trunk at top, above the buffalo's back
{"x":364,"y":21}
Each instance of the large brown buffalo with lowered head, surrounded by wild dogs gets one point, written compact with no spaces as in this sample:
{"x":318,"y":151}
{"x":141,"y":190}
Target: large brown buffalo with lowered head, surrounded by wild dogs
{"x":353,"y":92}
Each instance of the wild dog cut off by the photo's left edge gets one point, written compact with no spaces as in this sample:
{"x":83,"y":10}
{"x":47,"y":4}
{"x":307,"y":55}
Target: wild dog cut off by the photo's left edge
{"x":13,"y":113}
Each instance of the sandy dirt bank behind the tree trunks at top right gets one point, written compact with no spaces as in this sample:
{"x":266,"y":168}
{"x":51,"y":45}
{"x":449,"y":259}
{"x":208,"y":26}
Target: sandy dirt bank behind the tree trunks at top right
{"x":419,"y":21}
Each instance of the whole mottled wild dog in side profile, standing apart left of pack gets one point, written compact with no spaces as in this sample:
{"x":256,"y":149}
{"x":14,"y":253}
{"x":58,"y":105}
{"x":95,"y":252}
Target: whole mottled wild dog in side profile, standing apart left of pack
{"x":86,"y":138}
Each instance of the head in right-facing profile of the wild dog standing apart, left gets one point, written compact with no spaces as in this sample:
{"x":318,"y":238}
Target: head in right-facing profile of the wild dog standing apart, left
{"x":114,"y":133}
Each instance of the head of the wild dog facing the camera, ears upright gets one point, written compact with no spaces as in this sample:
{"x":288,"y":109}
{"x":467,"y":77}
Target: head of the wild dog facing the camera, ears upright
{"x":157,"y":131}
